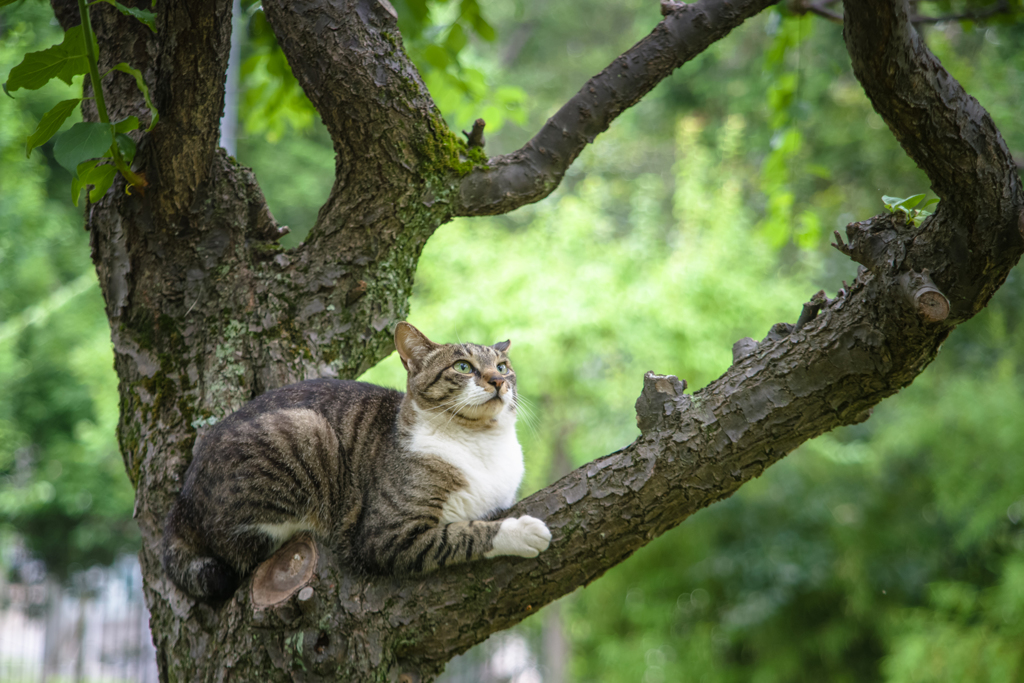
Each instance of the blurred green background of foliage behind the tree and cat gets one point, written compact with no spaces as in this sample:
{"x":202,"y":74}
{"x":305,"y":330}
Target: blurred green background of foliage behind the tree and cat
{"x":890,"y":551}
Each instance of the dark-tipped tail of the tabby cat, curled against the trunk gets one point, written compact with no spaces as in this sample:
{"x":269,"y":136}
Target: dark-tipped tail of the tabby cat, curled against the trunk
{"x":191,"y":569}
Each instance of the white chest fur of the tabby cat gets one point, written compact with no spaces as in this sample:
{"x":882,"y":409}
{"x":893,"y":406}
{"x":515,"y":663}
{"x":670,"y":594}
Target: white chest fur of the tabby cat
{"x":490,"y":460}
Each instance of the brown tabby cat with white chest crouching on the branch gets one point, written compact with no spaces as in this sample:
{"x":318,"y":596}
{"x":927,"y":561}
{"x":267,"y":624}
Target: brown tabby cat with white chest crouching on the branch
{"x":396,"y":483}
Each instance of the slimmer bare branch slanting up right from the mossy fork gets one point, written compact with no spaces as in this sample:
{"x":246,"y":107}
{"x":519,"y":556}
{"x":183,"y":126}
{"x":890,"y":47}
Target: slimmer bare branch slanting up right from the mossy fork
{"x":534,"y":172}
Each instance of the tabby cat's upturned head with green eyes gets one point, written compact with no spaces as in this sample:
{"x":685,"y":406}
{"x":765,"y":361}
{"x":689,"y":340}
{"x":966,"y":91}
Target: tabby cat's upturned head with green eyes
{"x":467,"y":381}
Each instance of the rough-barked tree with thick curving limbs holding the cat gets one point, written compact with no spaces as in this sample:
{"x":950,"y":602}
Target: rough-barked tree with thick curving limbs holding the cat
{"x":207,"y":312}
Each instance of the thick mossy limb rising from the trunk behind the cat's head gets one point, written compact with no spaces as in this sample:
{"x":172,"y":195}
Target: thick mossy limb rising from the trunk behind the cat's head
{"x":395,"y":155}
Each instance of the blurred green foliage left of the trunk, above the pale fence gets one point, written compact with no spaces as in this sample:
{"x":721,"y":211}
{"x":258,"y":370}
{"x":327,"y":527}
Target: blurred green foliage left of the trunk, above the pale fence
{"x":63,"y":486}
